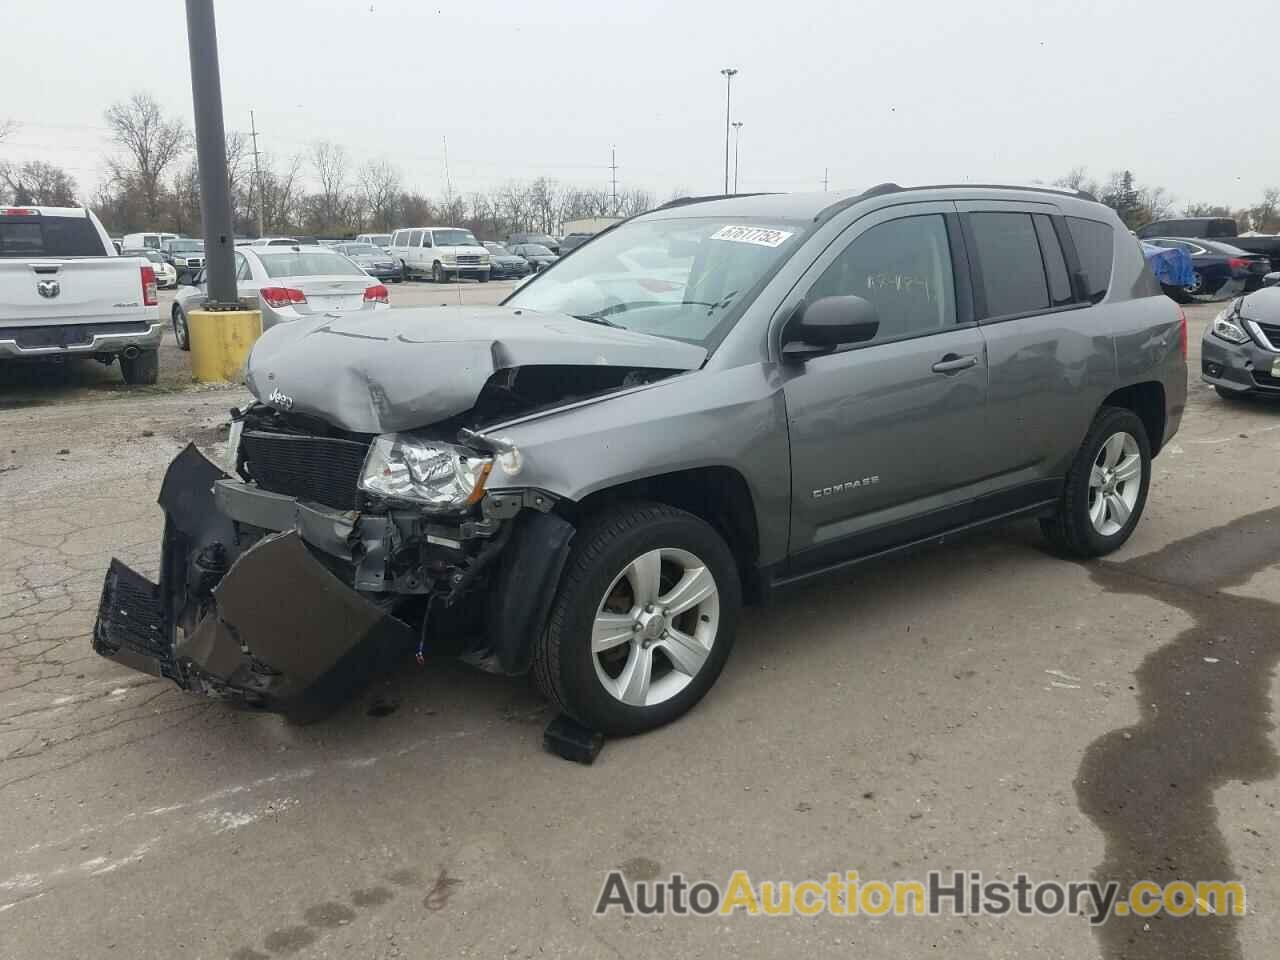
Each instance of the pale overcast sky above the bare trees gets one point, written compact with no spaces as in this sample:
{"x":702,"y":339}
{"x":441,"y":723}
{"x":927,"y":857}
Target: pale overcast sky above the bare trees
{"x":915,"y":92}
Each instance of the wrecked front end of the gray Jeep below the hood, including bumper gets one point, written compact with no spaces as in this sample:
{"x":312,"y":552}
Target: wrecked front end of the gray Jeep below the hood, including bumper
{"x":290,"y":586}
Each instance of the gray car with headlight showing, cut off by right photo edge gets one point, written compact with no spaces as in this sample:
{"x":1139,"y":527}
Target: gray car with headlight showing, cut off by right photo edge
{"x":1241,"y":350}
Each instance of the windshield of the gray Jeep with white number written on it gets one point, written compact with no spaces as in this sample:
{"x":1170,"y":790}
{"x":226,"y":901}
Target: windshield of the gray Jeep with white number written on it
{"x":683,"y":280}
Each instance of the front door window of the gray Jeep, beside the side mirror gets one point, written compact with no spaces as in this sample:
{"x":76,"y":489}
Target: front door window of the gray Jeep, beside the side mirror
{"x":904,"y":268}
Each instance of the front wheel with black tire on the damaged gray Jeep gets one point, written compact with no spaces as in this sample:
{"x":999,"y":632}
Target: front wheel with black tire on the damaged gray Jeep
{"x":643,"y":621}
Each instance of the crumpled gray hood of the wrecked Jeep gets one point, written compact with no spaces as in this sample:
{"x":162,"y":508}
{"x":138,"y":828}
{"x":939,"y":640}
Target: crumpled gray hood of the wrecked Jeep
{"x":404,"y":369}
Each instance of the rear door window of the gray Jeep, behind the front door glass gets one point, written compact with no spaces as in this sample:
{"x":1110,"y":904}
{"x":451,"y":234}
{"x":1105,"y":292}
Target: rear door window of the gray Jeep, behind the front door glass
{"x":1013,"y":271}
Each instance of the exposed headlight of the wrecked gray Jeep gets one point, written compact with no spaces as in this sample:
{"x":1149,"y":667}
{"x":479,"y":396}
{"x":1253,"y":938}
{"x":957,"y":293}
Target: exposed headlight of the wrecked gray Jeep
{"x":437,"y":476}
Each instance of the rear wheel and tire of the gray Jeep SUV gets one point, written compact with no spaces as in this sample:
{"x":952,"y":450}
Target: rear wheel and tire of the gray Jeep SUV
{"x":1107,"y":487}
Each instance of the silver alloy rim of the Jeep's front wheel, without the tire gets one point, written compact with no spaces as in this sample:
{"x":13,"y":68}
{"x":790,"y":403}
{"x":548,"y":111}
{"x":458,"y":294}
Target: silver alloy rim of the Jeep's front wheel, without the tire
{"x":656,"y":627}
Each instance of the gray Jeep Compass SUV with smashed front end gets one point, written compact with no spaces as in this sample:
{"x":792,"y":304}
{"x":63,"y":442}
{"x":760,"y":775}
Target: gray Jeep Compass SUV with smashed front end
{"x":707,"y":403}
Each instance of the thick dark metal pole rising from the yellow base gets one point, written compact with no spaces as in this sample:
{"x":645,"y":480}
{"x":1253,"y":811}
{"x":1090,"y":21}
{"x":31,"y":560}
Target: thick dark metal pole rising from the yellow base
{"x":216,"y":207}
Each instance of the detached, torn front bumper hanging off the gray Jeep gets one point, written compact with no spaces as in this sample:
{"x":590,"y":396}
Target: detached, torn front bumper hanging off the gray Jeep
{"x":240,"y":614}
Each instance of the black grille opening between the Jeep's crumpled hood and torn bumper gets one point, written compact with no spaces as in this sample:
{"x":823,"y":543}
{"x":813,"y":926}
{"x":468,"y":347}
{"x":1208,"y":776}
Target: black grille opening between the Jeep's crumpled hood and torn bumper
{"x":319,"y":469}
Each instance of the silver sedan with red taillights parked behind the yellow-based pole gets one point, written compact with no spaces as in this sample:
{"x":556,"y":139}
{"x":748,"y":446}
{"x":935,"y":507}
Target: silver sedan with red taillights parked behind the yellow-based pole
{"x":289,"y":284}
